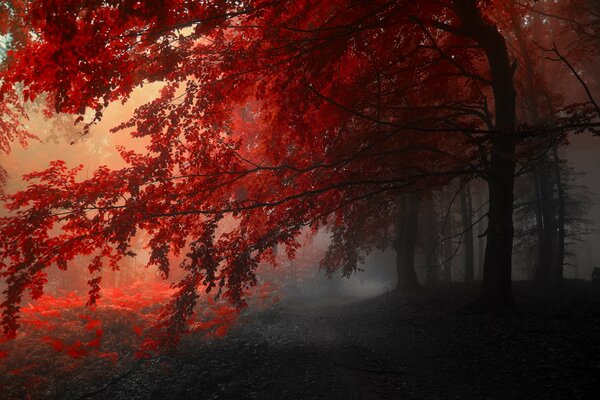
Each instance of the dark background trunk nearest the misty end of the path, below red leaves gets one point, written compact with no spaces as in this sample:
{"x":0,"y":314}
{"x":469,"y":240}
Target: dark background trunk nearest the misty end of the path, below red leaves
{"x":406,"y":239}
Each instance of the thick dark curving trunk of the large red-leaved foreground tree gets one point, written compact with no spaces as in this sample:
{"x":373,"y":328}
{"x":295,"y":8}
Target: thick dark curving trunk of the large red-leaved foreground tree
{"x":496,"y":290}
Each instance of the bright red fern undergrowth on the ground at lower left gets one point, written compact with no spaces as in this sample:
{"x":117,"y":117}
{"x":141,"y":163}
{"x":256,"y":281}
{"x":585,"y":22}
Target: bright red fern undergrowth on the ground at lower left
{"x":60,"y":337}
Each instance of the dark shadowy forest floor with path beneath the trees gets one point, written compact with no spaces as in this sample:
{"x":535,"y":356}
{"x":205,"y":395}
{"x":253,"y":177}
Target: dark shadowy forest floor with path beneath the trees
{"x":412,"y":346}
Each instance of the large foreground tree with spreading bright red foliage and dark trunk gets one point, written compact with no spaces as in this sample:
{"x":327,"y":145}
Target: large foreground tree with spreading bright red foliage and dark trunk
{"x":273,"y":116}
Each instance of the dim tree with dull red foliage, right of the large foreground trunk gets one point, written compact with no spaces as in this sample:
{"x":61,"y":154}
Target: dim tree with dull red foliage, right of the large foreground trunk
{"x":539,"y":102}
